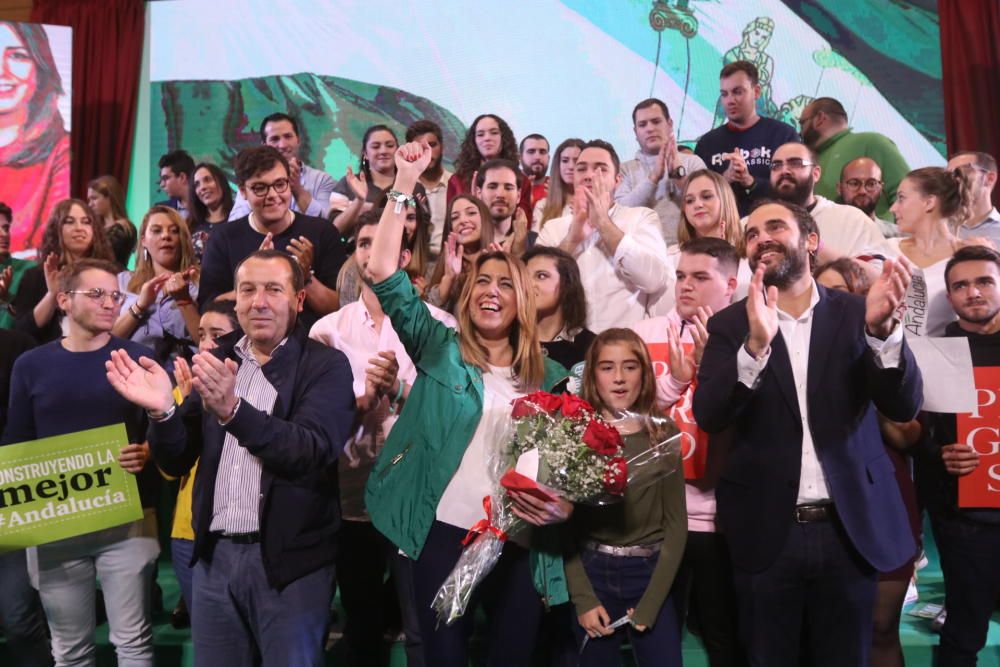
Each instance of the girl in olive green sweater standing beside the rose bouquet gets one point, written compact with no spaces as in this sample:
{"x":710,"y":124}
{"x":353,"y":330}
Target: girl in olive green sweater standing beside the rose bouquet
{"x":626,"y":554}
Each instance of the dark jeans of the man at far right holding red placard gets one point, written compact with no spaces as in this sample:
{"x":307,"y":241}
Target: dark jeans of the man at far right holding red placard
{"x":969,"y":553}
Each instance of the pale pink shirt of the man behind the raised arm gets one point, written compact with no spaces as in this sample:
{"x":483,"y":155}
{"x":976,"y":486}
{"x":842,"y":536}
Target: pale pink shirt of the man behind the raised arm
{"x":352,"y":331}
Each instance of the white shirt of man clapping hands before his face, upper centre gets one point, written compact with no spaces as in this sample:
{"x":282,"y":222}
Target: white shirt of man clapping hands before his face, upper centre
{"x":618,"y":287}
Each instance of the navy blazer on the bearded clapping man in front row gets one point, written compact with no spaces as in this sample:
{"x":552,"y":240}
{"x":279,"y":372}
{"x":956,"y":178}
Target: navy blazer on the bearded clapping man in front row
{"x":758,"y":488}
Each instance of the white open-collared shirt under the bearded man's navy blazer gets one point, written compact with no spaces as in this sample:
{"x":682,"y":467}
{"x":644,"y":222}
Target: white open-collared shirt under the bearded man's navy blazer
{"x":797,"y":332}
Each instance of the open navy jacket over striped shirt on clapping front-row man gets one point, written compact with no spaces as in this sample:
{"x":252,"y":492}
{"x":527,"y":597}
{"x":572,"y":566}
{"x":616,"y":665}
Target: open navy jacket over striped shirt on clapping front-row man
{"x":297,"y":444}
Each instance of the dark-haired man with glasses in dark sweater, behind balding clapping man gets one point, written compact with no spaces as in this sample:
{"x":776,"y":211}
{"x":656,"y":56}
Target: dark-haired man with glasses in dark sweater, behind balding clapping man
{"x":263,"y":177}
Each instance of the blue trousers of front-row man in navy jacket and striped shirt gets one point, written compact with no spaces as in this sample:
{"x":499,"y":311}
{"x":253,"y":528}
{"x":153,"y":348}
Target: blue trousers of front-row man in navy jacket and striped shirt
{"x":239,"y":619}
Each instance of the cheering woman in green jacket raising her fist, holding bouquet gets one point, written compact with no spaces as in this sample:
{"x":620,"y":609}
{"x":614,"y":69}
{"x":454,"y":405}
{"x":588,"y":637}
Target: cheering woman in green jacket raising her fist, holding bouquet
{"x":426,"y":490}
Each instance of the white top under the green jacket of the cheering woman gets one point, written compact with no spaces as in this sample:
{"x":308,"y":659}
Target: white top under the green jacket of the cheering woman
{"x":461,"y":503}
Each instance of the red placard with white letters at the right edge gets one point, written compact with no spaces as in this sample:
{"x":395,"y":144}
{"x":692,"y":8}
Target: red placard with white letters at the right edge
{"x":981,"y":431}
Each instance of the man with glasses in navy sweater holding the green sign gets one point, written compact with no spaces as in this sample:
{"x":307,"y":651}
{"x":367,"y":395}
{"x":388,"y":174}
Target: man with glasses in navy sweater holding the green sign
{"x":44,"y":404}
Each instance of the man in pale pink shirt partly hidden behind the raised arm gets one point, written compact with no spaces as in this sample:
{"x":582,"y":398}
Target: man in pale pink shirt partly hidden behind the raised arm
{"x":383,"y":376}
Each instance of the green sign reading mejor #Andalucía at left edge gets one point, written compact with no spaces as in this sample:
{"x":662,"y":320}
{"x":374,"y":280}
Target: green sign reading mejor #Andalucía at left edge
{"x":64,"y":486}
